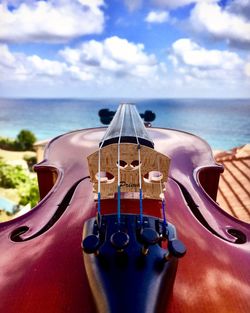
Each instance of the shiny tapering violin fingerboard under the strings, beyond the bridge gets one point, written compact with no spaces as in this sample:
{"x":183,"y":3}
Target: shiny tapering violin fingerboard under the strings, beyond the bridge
{"x":127,"y":127}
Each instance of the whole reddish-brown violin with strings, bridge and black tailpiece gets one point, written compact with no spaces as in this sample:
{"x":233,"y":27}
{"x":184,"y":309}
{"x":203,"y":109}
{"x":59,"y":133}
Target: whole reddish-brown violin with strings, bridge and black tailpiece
{"x":127,"y":222}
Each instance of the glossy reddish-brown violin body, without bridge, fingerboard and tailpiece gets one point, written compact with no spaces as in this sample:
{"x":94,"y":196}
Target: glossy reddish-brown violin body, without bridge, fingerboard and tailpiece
{"x":43,"y":267}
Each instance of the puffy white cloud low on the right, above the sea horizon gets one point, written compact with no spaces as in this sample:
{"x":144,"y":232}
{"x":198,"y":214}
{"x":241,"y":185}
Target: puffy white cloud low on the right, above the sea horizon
{"x":193,"y":62}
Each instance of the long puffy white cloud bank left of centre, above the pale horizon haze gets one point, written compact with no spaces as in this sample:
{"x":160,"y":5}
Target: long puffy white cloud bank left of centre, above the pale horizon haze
{"x":99,"y":62}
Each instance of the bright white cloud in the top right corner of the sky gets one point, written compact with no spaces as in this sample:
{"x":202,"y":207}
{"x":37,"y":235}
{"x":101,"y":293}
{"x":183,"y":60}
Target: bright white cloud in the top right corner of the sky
{"x":220,"y":23}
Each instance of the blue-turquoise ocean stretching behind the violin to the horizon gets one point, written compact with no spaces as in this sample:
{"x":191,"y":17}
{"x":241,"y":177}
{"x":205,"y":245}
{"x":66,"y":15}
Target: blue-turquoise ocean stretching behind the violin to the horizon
{"x":224,"y":124}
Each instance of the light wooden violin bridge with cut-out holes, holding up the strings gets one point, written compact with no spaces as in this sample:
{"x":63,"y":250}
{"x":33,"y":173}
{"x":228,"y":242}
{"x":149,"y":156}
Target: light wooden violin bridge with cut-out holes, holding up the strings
{"x":154,"y":168}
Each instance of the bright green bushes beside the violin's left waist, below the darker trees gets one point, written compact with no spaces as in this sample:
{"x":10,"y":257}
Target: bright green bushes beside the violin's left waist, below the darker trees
{"x":17,"y":177}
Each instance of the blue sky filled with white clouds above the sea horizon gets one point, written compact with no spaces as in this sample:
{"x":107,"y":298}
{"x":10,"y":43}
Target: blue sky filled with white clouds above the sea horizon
{"x":125,"y":48}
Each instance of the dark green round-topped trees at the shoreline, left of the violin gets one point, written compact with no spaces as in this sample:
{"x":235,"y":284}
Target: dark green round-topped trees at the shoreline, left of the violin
{"x":24,"y":141}
